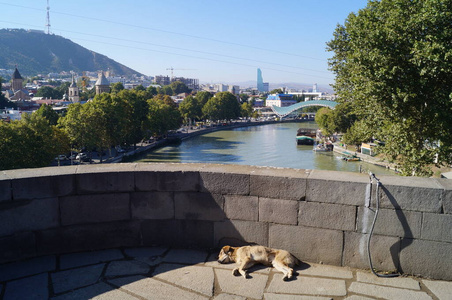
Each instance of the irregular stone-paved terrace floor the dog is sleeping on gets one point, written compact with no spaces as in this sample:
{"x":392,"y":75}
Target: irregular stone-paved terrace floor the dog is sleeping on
{"x":166,"y":273}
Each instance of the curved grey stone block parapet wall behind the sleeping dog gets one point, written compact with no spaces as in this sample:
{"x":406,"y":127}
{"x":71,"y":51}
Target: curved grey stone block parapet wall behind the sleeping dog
{"x":319,"y":216}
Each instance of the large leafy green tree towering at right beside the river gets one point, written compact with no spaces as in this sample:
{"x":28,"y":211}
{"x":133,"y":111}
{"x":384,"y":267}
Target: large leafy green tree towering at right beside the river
{"x":393,"y":63}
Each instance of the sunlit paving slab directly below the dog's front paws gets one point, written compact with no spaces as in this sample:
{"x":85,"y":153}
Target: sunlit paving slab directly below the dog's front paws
{"x":237,"y":285}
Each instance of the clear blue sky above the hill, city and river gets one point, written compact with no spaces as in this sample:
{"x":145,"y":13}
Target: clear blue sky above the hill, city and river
{"x":213,"y":41}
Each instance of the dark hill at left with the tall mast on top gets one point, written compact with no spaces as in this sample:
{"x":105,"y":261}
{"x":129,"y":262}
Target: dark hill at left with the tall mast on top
{"x":35,"y":52}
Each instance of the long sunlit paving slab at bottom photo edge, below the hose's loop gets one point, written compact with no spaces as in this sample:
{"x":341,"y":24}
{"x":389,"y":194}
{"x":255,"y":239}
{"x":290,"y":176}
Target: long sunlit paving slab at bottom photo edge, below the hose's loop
{"x":385,"y":292}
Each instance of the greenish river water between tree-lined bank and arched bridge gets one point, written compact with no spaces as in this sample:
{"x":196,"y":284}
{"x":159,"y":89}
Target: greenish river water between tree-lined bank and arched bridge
{"x":266,"y":145}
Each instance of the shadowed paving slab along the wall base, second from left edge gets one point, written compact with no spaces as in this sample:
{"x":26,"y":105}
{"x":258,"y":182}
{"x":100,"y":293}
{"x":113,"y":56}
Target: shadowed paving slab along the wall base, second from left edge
{"x":73,"y":260}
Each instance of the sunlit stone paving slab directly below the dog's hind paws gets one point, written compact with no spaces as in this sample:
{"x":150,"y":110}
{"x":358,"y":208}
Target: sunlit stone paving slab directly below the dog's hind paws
{"x":308,"y":286}
